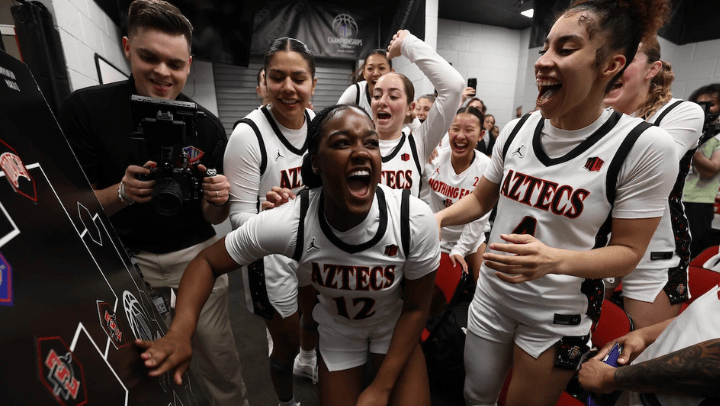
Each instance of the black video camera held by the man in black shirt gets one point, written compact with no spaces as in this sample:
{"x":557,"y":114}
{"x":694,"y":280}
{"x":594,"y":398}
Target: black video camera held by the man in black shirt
{"x":167,"y":128}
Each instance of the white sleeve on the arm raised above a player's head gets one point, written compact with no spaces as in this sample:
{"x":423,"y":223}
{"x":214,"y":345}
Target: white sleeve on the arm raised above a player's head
{"x":449,"y":84}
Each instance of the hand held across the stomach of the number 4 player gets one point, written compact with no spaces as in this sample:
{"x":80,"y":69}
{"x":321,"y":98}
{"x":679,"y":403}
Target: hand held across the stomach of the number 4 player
{"x":529,"y":259}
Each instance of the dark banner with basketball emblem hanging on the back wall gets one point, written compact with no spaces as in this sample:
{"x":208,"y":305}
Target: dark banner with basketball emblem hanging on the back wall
{"x":329,"y":31}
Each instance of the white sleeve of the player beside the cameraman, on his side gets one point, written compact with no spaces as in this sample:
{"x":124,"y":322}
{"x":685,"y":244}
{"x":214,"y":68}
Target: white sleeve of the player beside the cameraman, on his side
{"x":242,"y":169}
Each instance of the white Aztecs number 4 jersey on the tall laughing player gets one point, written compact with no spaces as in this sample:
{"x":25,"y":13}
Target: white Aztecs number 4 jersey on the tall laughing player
{"x":563,"y":202}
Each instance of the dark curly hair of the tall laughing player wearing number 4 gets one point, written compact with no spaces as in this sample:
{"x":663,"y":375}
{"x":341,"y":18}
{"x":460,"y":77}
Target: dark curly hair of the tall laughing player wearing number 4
{"x":623,"y":23}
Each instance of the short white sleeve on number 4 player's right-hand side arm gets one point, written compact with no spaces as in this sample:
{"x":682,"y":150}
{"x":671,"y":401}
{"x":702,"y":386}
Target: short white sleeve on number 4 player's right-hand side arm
{"x":647,"y":176}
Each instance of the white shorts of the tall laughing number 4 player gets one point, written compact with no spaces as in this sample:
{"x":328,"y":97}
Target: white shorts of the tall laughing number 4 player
{"x":514,"y":322}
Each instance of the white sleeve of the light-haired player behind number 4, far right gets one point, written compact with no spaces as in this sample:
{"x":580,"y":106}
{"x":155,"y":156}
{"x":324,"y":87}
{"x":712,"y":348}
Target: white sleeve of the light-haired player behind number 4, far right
{"x":684,"y":123}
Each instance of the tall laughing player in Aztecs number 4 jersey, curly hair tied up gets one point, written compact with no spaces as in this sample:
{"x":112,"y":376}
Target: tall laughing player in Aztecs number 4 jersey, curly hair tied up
{"x":563,"y":179}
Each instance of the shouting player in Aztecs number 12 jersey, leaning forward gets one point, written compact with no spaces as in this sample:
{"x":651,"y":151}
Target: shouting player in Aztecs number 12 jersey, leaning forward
{"x":369,"y":251}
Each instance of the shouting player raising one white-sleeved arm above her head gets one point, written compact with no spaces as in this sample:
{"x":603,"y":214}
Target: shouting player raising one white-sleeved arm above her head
{"x":404,"y":155}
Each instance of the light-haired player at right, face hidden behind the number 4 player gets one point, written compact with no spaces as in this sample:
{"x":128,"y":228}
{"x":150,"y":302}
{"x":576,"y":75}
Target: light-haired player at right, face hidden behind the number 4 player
{"x":656,"y":289}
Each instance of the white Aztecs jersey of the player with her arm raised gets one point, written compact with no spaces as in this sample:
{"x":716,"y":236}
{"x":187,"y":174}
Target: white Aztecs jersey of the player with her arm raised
{"x":401,"y":167}
